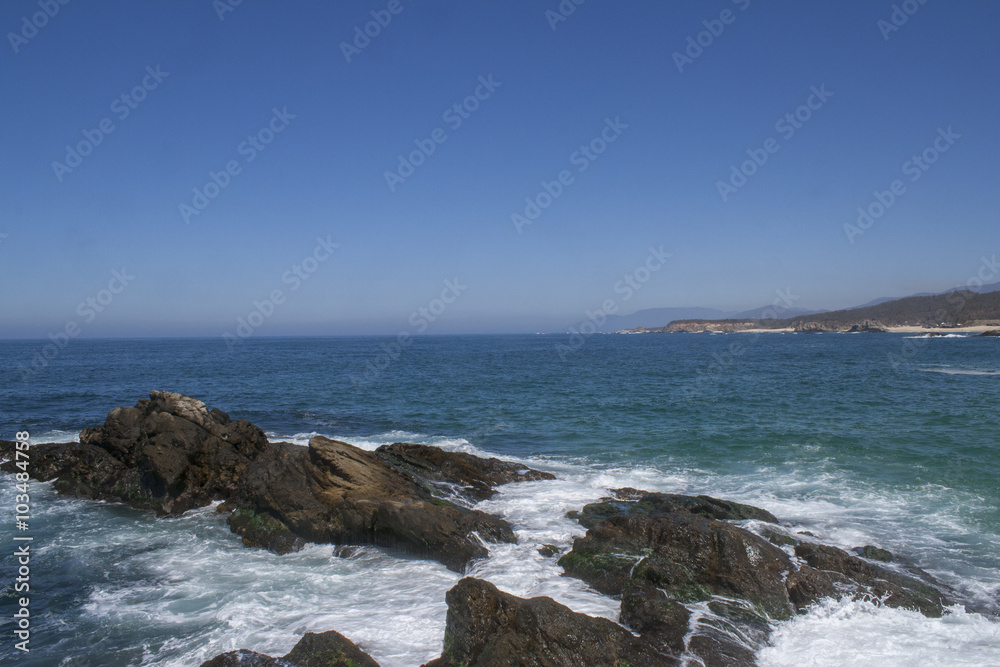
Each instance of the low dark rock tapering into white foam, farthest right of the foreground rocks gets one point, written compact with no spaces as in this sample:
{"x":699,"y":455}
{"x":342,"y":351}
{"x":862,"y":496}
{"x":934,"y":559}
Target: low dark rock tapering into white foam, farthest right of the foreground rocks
{"x":866,"y":579}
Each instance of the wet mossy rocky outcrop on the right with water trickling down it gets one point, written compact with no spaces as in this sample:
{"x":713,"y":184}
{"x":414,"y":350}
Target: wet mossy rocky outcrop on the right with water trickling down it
{"x":665,"y":555}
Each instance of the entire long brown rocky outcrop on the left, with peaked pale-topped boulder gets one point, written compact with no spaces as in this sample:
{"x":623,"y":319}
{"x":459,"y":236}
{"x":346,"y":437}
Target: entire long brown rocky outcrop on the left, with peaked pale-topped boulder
{"x":170,"y":454}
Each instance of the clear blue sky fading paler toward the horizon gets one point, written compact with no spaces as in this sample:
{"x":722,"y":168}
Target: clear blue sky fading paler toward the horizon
{"x":200,"y":168}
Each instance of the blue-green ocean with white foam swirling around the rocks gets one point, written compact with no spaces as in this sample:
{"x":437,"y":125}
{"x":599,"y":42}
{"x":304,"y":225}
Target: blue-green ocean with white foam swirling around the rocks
{"x":881,"y":439}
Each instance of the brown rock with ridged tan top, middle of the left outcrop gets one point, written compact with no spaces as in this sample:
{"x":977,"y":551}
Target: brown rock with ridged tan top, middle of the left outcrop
{"x":333,"y":492}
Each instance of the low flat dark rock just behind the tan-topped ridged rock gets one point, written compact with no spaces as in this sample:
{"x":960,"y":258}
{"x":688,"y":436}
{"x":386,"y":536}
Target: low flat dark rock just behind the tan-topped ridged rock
{"x":477,"y":476}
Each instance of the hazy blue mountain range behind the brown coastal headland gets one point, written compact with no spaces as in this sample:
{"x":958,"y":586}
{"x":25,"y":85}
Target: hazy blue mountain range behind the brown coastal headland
{"x":655,"y":318}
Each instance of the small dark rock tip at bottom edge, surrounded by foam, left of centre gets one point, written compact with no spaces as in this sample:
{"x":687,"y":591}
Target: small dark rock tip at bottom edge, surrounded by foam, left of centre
{"x":327,"y":649}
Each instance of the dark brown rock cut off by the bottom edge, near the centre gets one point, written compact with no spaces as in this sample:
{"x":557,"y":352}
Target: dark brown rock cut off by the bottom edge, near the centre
{"x":489,"y":628}
